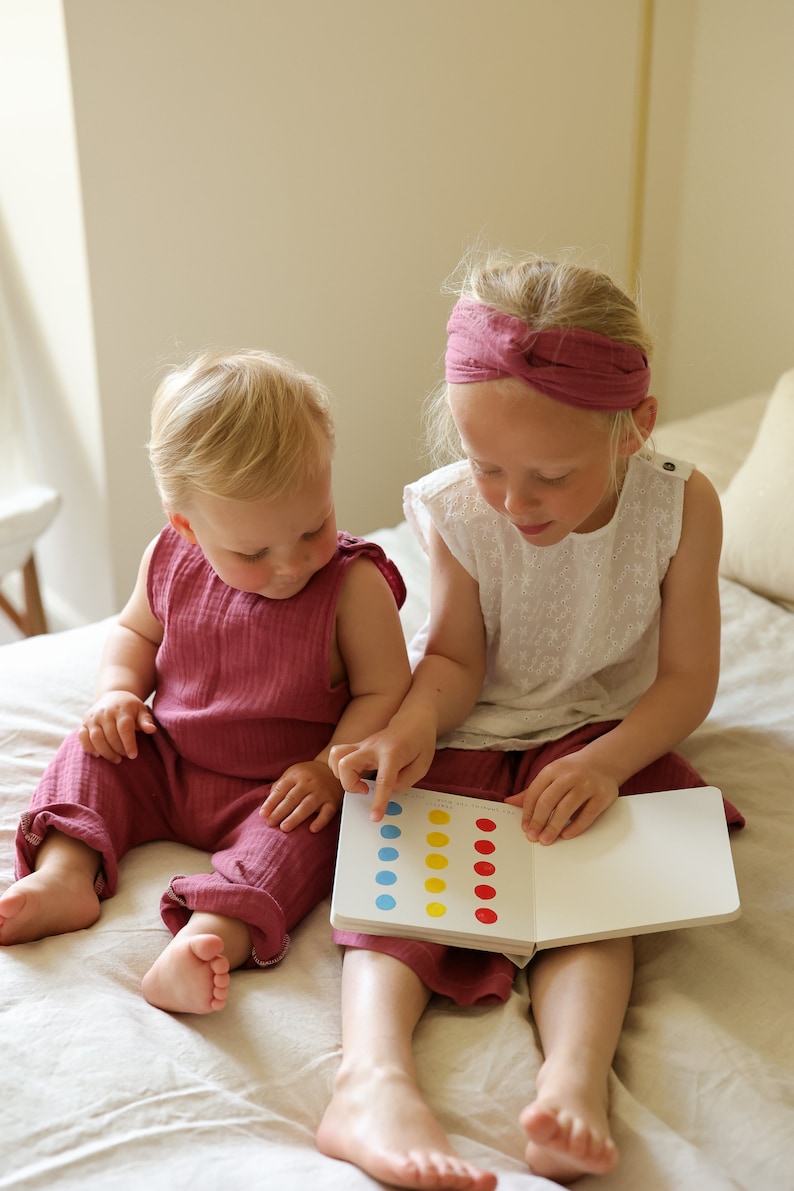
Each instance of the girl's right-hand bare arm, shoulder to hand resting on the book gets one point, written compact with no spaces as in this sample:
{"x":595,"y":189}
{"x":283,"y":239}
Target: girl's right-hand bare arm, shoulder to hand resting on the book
{"x":680,"y":699}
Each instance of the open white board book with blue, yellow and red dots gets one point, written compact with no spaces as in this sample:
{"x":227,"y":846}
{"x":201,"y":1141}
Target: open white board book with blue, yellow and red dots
{"x":460,"y":871}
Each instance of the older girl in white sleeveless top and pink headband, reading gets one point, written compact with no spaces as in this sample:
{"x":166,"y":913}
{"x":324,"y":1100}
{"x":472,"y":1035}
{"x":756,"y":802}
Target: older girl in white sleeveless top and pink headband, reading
{"x":573,"y":641}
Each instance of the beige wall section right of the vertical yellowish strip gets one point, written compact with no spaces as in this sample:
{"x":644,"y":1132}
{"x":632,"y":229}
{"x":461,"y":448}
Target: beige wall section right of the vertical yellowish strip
{"x":733,"y":328}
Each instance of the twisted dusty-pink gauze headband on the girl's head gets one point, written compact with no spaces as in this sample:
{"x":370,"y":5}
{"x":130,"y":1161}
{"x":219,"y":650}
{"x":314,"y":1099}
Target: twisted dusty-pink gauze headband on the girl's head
{"x":578,"y":367}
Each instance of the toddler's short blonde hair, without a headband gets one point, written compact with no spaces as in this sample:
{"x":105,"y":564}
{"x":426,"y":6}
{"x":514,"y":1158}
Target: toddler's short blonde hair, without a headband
{"x":242,"y":425}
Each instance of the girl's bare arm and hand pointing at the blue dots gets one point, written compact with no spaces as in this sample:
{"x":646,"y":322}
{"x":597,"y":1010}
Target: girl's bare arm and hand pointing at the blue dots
{"x":446,"y":687}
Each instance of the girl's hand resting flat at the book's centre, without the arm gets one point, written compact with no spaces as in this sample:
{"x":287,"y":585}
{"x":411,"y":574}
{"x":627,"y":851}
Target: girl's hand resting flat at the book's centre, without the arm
{"x":565,"y":800}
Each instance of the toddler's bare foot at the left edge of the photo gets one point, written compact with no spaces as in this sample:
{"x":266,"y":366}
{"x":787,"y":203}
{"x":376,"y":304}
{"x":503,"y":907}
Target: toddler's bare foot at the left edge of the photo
{"x":47,"y":903}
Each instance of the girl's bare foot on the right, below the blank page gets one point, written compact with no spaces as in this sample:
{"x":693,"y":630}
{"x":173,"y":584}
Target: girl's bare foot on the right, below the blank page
{"x":568,"y":1136}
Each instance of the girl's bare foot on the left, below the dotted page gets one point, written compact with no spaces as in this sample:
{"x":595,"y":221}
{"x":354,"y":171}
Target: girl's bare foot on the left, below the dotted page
{"x":378,"y":1121}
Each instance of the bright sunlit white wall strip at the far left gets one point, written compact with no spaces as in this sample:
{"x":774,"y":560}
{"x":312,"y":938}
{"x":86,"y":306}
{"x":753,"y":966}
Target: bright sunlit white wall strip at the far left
{"x":46,"y":298}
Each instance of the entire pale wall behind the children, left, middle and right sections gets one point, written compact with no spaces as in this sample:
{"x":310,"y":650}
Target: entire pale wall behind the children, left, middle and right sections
{"x":303,"y":177}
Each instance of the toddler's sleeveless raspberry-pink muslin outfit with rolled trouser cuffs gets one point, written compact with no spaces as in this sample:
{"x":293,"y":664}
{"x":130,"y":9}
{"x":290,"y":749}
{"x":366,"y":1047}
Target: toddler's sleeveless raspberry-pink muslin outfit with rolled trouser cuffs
{"x":243,"y":691}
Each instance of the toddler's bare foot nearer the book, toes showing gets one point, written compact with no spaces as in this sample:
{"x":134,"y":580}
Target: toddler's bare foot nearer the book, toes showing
{"x":190,"y":977}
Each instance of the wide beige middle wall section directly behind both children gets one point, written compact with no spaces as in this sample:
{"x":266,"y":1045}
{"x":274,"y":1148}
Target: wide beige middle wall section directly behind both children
{"x":303,"y":177}
